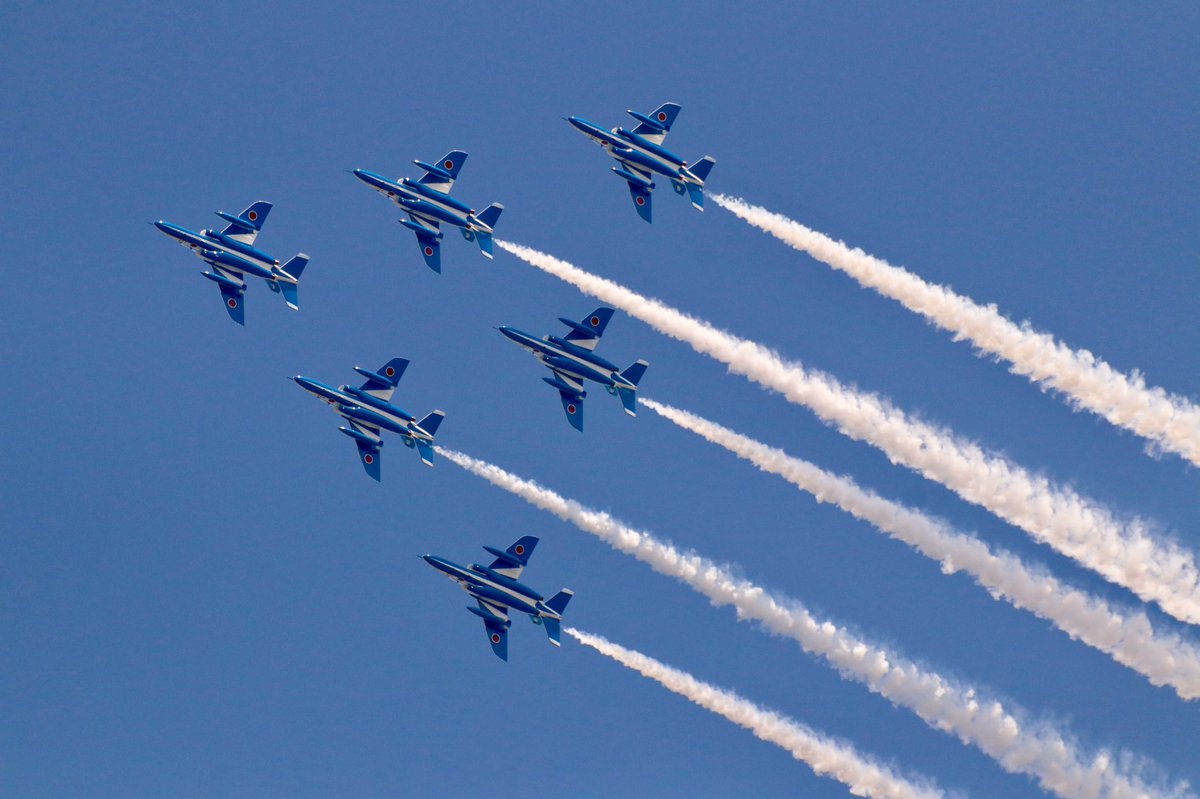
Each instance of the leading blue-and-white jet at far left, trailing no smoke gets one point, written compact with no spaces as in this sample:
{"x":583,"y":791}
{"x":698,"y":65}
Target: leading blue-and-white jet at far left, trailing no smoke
{"x":232,"y":255}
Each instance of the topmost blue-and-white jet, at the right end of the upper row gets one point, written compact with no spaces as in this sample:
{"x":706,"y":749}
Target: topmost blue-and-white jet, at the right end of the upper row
{"x":640,"y":157}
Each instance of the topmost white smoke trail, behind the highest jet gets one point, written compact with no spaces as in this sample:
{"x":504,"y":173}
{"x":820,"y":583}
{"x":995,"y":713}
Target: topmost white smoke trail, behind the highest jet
{"x":1171,"y":422}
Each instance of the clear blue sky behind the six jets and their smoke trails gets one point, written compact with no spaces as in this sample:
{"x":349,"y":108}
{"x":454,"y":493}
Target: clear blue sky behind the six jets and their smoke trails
{"x":203,"y":596}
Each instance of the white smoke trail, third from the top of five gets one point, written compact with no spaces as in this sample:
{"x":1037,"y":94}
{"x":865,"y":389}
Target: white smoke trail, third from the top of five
{"x":1127,"y":636}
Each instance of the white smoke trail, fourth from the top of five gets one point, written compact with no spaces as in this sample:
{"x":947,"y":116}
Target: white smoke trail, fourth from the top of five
{"x":1019,"y":747}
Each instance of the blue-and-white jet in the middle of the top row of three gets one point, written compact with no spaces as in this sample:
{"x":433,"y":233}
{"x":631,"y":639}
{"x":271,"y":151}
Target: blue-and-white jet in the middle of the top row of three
{"x":428,"y":203}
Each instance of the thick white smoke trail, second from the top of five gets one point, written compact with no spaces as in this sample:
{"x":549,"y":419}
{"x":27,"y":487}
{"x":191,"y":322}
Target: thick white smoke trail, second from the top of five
{"x":1123,"y":551}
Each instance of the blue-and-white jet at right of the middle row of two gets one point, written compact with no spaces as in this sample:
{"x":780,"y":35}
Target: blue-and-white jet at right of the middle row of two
{"x":573,"y":362}
